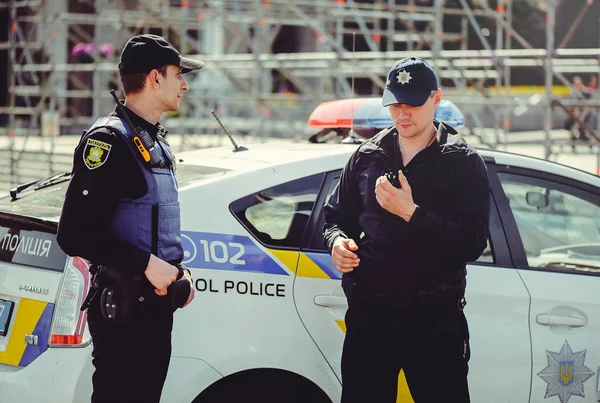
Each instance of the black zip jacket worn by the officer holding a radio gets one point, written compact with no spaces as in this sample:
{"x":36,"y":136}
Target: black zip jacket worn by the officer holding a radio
{"x":428,"y":254}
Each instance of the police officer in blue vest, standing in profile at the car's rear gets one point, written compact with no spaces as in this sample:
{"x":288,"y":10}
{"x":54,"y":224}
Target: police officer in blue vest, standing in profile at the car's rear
{"x":122,"y":214}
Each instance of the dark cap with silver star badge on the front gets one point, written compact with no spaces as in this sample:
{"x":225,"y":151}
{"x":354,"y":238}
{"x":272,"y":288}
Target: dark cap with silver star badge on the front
{"x":409,"y":82}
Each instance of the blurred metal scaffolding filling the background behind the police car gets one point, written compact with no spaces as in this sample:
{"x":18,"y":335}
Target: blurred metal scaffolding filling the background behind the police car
{"x":512,"y":66}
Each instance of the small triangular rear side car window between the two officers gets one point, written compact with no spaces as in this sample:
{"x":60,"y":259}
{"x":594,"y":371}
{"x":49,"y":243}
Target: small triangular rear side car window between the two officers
{"x":278,"y":216}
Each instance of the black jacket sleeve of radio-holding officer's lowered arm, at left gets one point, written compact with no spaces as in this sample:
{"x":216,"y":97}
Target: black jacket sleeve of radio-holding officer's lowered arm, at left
{"x":343,"y":207}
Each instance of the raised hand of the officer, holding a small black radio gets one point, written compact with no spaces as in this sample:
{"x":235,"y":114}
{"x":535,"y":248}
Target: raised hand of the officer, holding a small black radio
{"x":396,"y":201}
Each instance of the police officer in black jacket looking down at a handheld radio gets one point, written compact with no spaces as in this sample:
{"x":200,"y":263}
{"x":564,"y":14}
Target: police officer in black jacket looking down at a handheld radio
{"x":410,"y":210}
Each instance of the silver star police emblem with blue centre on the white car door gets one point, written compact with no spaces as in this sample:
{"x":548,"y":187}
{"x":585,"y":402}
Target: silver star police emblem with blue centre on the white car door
{"x":565,"y":374}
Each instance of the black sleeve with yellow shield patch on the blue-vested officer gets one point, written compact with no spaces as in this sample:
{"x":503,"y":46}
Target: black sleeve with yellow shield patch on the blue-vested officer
{"x":97,"y":184}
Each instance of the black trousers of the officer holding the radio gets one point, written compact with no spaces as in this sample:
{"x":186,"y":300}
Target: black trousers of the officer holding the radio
{"x":430,"y":342}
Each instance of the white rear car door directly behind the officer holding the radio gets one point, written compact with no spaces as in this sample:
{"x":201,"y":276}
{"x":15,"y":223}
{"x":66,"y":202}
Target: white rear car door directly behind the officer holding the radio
{"x":497,"y":311}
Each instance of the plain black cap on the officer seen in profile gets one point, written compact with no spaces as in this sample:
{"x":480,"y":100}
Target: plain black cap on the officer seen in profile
{"x":145,"y":52}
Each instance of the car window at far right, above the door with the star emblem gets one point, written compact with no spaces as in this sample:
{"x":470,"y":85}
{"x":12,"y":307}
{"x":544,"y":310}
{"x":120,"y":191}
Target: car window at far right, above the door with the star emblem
{"x":558,"y":225}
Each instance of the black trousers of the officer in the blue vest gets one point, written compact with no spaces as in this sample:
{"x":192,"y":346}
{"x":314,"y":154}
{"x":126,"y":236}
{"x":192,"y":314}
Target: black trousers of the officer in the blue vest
{"x":131,"y":360}
